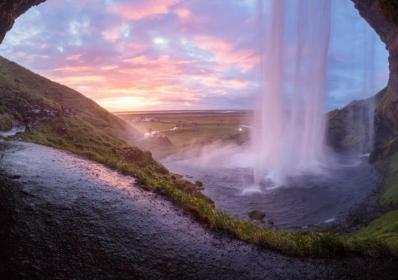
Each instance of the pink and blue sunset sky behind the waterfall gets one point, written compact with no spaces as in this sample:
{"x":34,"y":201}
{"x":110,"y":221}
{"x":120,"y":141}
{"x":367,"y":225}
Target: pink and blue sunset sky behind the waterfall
{"x":178,"y":54}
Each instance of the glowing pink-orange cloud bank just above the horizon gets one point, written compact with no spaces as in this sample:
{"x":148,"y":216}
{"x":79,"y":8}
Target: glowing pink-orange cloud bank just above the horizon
{"x":149,"y":81}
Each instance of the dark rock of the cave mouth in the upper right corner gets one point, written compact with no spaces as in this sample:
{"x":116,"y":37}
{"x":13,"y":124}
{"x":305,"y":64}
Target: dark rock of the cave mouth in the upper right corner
{"x":382,"y":15}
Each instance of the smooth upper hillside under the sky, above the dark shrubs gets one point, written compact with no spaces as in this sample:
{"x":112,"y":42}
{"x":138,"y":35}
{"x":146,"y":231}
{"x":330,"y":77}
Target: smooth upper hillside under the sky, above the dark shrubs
{"x":21,"y":89}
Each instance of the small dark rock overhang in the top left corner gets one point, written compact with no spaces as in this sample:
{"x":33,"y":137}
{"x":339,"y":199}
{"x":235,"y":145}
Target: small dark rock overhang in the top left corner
{"x":10,"y":10}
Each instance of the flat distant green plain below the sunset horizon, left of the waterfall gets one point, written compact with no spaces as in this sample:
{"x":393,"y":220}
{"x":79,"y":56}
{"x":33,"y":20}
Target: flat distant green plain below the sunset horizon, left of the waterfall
{"x":185,"y":130}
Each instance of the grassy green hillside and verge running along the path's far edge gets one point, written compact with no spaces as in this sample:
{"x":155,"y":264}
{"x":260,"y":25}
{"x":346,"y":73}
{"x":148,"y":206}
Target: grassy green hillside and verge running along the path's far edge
{"x":92,"y":132}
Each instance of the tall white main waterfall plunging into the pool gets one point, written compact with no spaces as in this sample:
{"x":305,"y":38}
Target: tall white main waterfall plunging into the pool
{"x":289,"y":119}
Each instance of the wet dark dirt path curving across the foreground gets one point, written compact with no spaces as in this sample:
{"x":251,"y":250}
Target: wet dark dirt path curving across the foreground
{"x":63,"y":217}
